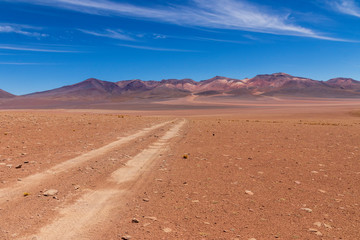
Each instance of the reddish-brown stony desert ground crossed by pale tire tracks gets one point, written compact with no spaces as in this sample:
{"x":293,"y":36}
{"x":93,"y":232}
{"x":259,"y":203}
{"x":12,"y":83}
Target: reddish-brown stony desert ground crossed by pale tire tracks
{"x":279,"y":173}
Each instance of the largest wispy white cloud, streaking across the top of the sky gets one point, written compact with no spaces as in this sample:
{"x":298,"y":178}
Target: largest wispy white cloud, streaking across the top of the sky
{"x":216,"y":14}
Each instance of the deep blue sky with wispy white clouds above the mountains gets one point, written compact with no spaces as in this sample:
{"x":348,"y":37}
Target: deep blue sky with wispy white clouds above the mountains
{"x":46,"y":44}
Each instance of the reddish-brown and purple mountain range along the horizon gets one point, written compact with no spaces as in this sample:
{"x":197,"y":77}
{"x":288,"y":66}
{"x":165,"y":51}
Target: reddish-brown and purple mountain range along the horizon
{"x":277,"y":84}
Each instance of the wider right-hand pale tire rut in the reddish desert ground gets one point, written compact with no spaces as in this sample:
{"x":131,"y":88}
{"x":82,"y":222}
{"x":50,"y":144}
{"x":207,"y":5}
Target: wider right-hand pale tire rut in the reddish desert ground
{"x":79,"y":220}
